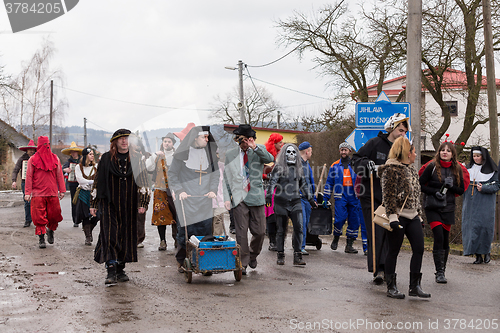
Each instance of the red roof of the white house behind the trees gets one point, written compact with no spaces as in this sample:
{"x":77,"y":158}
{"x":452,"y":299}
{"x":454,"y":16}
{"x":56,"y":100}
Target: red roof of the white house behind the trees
{"x":453,"y":80}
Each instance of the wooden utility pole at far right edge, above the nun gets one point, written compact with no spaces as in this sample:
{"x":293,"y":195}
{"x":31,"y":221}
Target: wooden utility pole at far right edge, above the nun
{"x":490,"y":77}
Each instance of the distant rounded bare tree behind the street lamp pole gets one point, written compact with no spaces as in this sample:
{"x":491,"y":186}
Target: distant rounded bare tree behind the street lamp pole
{"x":261,"y":108}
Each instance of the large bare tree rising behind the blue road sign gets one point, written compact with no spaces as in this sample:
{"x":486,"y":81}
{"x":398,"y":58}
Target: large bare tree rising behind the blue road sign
{"x":353,"y":51}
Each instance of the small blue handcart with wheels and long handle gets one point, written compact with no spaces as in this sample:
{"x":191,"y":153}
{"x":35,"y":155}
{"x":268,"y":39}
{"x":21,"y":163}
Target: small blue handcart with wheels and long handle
{"x":212,"y":254}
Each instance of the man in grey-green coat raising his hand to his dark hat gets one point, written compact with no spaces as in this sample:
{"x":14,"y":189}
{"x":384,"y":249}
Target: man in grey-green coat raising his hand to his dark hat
{"x":244,"y":192}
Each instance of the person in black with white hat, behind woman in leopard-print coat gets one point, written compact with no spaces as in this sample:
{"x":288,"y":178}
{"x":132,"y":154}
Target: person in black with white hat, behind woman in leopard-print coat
{"x":373,"y":154}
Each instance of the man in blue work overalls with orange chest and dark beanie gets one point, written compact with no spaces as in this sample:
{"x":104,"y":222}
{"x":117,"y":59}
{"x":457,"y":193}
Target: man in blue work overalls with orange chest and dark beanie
{"x":340,"y":182}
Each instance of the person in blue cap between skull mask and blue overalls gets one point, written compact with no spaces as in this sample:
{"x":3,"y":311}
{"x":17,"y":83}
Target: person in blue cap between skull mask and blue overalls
{"x":305,"y":151}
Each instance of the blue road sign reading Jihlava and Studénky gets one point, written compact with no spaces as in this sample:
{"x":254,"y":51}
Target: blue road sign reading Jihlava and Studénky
{"x":375,"y":115}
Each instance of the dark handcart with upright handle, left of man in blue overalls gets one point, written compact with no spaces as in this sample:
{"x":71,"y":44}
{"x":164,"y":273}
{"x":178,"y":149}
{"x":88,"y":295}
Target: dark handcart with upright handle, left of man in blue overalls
{"x":320,"y":222}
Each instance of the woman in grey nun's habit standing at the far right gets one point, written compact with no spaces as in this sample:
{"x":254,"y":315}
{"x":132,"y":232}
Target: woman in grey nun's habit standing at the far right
{"x":478,"y":209}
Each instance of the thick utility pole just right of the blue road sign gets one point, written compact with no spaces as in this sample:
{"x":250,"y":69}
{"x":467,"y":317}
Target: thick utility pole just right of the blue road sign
{"x":414,"y":70}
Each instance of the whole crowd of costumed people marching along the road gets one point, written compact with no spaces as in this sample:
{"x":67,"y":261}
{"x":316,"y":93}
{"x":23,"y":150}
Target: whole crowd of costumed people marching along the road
{"x":263,"y":187}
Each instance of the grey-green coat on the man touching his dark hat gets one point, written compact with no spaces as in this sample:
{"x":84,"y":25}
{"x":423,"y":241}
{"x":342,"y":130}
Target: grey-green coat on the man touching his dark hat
{"x":233,"y":176}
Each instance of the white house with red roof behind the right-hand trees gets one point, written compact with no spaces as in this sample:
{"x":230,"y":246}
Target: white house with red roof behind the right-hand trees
{"x":455,"y":96}
